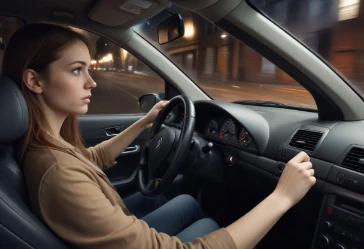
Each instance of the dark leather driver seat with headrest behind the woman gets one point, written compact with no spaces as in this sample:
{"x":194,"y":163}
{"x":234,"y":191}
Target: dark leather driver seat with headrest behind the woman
{"x":19,"y":227}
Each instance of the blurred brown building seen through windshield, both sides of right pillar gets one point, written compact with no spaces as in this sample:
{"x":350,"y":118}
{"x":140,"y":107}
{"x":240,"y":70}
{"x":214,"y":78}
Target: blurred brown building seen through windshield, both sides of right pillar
{"x":334,"y":29}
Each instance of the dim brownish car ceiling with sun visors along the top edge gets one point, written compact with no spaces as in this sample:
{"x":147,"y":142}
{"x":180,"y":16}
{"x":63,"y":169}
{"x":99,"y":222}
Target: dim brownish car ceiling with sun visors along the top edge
{"x":105,"y":16}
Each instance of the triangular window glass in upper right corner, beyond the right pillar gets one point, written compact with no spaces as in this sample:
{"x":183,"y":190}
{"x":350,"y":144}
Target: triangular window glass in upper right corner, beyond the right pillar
{"x":334,"y":29}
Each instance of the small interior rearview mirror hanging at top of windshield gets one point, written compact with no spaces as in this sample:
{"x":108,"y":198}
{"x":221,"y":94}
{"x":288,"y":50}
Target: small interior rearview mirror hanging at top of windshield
{"x":171,"y":29}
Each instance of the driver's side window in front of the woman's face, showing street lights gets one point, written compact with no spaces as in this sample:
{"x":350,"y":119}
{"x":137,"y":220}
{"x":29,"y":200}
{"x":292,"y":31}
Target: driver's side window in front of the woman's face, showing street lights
{"x":121,"y":78}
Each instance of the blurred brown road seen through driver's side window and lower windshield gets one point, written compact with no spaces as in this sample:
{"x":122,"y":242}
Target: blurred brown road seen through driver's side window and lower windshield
{"x":118,"y":92}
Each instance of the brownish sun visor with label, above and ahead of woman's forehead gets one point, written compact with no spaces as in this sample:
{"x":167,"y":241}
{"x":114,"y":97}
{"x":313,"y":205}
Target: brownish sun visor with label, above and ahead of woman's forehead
{"x":125,"y":13}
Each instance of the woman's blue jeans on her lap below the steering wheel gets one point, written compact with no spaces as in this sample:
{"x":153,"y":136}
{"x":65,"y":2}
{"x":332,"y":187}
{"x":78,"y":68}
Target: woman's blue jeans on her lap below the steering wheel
{"x":181,"y":216}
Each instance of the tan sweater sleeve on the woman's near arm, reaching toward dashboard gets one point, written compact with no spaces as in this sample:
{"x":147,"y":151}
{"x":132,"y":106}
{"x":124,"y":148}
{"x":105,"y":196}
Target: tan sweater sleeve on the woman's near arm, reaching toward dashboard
{"x":74,"y":207}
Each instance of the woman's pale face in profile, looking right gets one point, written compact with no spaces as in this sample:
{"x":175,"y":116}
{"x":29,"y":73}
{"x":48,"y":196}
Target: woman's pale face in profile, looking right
{"x":68,"y":84}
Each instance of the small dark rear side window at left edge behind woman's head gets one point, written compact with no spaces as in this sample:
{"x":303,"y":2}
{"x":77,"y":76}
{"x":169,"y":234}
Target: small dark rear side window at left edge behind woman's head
{"x":8,"y":25}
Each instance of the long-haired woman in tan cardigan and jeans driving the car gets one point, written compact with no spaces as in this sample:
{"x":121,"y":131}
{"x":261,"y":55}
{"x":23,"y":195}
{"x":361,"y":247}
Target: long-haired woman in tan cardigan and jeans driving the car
{"x":69,"y":190}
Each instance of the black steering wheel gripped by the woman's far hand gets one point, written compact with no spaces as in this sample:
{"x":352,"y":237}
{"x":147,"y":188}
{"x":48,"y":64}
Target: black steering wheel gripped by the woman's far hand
{"x":164,"y":151}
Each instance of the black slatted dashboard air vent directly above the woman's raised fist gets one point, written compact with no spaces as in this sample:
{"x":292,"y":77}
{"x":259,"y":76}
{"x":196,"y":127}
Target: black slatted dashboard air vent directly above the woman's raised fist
{"x":306,"y":140}
